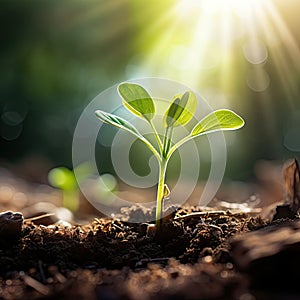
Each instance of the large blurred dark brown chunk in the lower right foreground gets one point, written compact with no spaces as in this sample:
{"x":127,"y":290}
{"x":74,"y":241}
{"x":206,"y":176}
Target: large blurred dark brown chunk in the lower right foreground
{"x":270,"y":256}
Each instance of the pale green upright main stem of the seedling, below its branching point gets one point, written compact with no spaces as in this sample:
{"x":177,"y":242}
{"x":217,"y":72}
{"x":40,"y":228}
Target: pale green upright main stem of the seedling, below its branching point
{"x":160,"y":192}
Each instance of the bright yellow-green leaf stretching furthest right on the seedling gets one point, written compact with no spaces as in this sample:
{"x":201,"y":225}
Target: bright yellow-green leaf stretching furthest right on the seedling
{"x":223,"y":119}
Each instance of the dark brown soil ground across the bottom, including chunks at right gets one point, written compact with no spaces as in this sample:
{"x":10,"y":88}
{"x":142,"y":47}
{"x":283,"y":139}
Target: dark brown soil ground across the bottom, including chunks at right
{"x":197,"y":254}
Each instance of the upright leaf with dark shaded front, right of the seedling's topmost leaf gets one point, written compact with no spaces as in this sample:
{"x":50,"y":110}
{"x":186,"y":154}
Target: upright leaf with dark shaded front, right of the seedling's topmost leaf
{"x":181,"y":110}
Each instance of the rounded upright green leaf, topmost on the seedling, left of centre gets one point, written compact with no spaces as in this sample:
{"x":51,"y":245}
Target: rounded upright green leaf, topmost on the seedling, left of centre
{"x":137,"y":100}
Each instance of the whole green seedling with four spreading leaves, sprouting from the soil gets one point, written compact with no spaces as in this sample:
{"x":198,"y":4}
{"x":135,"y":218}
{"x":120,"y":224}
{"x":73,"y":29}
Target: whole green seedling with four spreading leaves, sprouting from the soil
{"x":182,"y":109}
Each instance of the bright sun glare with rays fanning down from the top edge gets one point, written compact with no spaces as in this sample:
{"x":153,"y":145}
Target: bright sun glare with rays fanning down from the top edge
{"x":227,"y":40}
